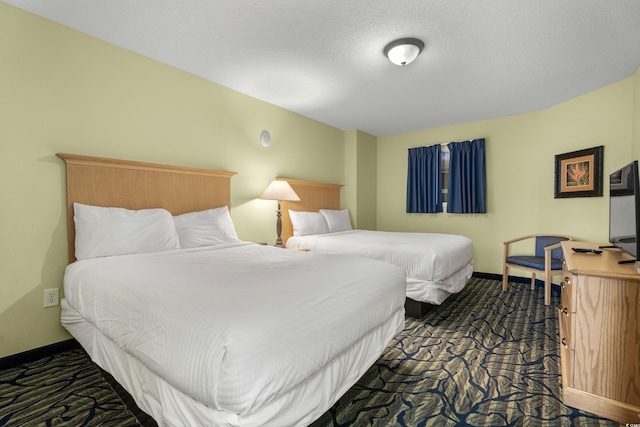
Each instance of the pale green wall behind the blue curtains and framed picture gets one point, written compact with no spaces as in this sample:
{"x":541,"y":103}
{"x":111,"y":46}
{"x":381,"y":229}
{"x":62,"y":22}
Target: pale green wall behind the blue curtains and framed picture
{"x":520,"y":153}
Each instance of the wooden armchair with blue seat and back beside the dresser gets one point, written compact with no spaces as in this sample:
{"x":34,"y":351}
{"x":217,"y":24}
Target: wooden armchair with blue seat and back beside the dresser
{"x":547,"y":259}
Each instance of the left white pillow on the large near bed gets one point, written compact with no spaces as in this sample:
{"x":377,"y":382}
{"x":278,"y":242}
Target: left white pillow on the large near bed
{"x":117,"y":231}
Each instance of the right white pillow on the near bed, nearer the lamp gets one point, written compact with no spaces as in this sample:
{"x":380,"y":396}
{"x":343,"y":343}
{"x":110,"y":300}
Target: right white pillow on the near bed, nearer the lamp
{"x":205,"y":228}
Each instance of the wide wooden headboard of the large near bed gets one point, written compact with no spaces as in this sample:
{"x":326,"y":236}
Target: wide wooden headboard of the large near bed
{"x":126,"y":184}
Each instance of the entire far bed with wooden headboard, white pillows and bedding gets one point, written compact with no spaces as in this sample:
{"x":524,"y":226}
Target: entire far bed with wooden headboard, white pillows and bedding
{"x":436,"y":265}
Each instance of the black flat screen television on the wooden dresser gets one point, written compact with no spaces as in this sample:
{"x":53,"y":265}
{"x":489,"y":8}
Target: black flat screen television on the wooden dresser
{"x":624,"y":210}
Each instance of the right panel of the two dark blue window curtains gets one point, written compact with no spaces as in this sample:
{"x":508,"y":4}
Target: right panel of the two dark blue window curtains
{"x":467,"y":177}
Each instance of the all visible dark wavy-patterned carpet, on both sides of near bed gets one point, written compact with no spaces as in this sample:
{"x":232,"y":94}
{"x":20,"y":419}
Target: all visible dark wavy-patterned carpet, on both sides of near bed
{"x":483,"y":358}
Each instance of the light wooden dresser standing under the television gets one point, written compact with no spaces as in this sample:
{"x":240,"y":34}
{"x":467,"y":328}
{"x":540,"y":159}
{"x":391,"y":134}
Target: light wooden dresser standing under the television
{"x":600,"y":333}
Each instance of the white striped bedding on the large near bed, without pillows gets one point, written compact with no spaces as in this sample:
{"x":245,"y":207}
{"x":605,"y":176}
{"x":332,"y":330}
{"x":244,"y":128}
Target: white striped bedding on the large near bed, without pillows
{"x":245,"y":343}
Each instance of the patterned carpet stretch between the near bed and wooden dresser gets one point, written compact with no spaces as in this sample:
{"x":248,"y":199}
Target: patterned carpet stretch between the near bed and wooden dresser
{"x":483,"y":358}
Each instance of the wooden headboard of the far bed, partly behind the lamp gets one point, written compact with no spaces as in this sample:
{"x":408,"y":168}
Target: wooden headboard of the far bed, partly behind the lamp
{"x":313,"y":196}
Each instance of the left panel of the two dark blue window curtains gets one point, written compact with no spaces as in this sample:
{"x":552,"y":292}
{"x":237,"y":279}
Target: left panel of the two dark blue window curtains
{"x":424,"y":180}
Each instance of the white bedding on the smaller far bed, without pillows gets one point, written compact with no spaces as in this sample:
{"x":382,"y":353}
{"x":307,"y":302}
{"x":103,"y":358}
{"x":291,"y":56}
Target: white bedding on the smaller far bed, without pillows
{"x":436,"y":265}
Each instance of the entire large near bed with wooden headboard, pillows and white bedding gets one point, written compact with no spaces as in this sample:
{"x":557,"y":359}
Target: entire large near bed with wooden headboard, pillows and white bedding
{"x":228,"y":334}
